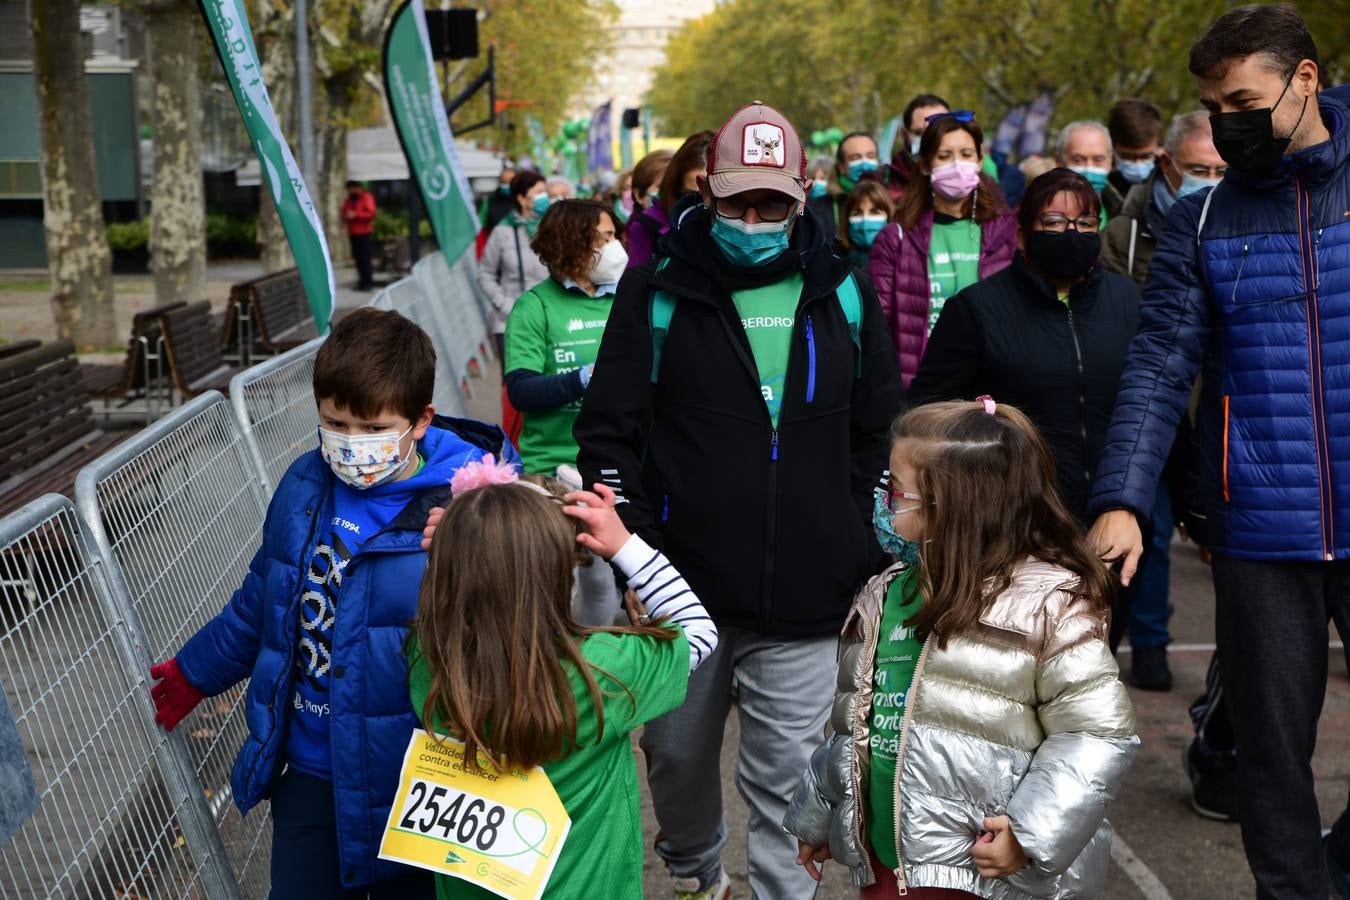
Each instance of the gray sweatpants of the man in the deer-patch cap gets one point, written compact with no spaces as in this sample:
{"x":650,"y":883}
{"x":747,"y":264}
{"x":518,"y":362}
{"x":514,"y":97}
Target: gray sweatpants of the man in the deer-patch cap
{"x":782,"y":687}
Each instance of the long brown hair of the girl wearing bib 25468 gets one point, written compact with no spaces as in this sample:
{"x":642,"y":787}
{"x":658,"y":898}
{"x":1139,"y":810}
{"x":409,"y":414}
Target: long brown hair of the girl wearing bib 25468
{"x":496,"y":631}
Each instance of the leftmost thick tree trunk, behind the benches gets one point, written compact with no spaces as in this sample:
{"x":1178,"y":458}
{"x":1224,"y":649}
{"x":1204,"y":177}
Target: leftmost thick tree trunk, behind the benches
{"x":78,"y":245}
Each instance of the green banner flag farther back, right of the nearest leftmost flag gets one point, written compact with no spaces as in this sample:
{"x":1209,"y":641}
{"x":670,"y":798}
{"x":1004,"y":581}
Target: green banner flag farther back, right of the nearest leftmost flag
{"x":423,"y":129}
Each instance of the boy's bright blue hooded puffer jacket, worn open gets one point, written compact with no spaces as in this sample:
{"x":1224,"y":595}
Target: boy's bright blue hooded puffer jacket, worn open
{"x":256,"y":638}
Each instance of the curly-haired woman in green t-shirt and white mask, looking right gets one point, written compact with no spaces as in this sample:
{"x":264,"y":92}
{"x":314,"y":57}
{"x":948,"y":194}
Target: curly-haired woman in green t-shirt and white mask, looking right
{"x":553,"y":338}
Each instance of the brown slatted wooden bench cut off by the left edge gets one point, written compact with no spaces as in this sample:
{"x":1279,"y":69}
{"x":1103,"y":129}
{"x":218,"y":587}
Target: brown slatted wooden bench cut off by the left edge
{"x":48,"y":431}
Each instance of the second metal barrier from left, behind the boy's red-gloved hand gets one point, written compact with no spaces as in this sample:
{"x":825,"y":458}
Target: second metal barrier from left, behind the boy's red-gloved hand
{"x":176,"y":515}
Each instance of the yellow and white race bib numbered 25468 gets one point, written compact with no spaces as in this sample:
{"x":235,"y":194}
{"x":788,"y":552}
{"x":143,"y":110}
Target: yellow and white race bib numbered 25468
{"x":500,"y":831}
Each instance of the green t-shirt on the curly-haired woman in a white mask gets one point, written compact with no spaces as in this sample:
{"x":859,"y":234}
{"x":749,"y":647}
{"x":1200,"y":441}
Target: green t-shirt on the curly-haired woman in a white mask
{"x":553,"y":331}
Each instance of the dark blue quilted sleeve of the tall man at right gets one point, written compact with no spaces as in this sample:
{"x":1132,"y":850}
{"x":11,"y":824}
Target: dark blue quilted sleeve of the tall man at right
{"x":1164,"y":361}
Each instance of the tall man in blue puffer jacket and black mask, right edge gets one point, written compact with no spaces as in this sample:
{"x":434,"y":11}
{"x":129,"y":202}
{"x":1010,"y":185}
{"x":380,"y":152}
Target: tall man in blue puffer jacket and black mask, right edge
{"x":1251,"y":284}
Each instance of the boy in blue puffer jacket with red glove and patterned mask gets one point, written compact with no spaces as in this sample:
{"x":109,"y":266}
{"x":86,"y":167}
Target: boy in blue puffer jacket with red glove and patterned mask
{"x":321,"y":620}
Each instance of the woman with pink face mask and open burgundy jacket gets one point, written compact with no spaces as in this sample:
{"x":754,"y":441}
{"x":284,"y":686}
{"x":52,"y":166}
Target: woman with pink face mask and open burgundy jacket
{"x":951,"y":230}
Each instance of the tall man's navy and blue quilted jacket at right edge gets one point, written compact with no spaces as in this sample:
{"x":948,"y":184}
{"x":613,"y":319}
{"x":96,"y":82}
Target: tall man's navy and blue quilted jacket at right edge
{"x":1252,"y":284}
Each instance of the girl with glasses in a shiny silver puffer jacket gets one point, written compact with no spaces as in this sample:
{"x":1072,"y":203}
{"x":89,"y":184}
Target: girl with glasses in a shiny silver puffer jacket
{"x":981,"y":728}
